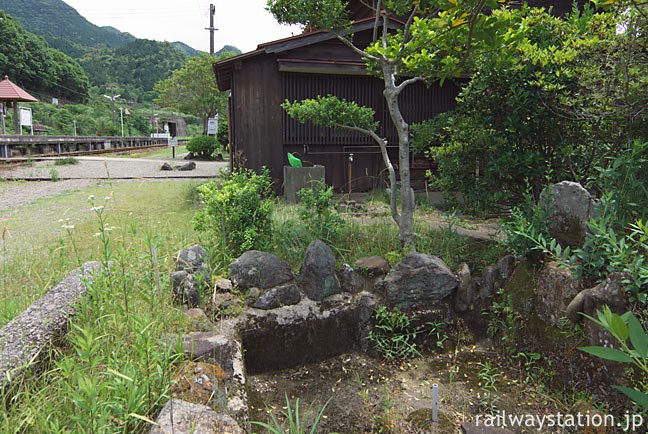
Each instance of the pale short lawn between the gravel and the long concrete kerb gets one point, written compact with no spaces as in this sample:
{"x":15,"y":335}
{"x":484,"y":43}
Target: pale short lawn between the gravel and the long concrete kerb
{"x":37,"y":250}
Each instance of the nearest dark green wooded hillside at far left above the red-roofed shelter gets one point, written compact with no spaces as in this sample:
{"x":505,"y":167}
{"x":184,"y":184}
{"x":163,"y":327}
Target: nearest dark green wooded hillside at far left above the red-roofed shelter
{"x":31,"y":63}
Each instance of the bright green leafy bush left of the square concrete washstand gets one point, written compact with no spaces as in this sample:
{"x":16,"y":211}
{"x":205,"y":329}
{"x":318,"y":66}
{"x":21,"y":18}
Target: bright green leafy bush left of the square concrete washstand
{"x":237,"y":213}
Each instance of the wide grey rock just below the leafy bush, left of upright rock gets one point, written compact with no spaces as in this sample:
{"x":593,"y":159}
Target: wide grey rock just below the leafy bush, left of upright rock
{"x":259,"y":269}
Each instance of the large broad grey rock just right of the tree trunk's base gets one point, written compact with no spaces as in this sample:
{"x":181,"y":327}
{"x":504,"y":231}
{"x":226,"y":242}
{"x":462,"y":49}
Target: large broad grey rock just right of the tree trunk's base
{"x":419,"y":279}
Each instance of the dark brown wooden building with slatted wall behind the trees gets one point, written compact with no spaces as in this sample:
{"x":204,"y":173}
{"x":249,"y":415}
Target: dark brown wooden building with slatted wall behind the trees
{"x":305,"y":66}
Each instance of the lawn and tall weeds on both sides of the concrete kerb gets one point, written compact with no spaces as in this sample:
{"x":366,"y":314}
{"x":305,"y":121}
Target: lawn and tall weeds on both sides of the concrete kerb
{"x":110,"y":374}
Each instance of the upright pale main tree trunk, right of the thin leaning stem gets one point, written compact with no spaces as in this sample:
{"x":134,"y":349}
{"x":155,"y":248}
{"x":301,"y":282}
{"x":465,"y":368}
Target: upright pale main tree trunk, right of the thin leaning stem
{"x":406,"y":223}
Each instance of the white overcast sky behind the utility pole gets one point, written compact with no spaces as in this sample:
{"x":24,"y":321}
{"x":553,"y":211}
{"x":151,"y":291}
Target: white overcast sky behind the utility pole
{"x":242,"y":23}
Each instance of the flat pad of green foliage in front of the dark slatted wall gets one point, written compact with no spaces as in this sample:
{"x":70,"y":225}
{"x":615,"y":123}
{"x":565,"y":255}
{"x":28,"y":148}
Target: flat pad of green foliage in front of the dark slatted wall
{"x":330,"y":111}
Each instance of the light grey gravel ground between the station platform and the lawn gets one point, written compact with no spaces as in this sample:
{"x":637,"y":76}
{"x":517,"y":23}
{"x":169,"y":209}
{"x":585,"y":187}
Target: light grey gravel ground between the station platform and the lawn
{"x":30,"y":183}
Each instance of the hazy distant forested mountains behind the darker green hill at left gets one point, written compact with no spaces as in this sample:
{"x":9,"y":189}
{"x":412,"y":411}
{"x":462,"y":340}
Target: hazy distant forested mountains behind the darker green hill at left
{"x":108,"y":57}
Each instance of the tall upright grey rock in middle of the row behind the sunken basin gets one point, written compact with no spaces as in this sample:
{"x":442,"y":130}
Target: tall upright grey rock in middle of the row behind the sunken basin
{"x":317,"y":276}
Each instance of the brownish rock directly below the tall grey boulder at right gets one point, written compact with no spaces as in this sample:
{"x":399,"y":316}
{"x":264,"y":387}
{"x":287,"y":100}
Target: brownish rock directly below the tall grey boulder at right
{"x":556,"y":288}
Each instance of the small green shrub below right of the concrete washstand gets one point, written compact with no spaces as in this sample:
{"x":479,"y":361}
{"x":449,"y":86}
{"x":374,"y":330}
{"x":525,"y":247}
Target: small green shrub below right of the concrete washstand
{"x":317,"y":212}
